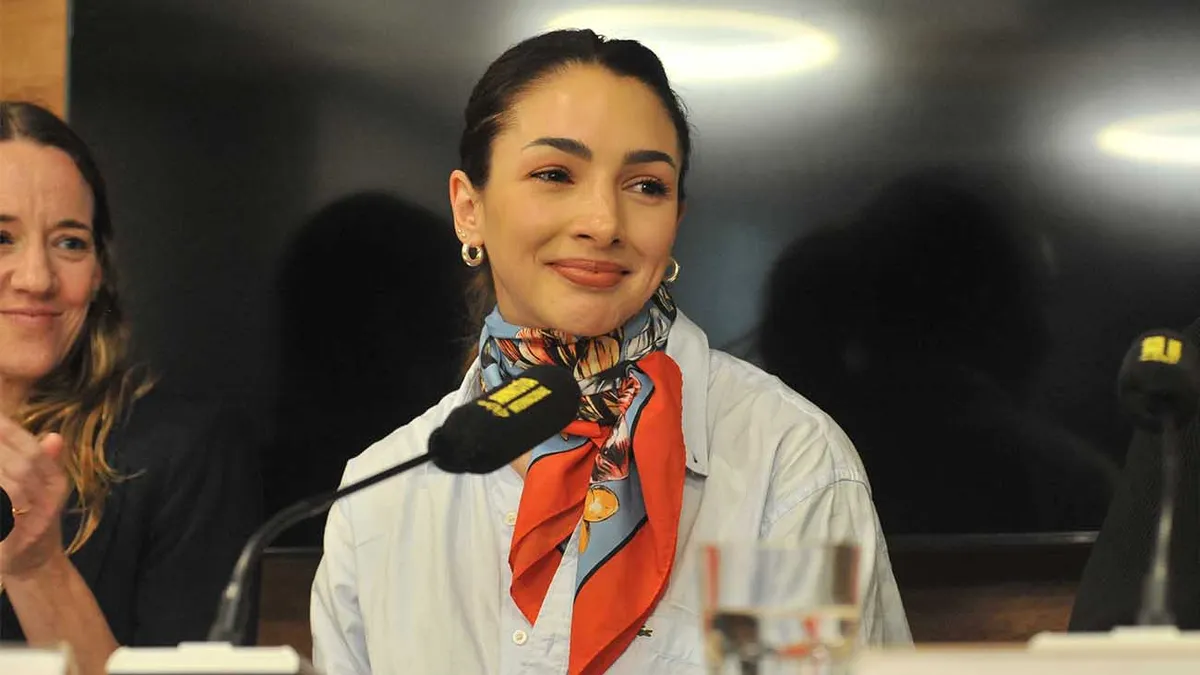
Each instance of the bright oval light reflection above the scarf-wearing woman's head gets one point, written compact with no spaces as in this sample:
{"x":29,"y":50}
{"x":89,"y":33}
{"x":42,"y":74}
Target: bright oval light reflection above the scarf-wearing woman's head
{"x":711,"y":45}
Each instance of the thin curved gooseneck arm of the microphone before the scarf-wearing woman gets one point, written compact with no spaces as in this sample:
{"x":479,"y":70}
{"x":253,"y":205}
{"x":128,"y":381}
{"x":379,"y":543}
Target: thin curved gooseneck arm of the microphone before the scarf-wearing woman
{"x":233,"y":616}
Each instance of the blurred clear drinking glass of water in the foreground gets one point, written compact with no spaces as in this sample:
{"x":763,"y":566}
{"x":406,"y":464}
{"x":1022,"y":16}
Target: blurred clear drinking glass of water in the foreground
{"x":781,"y":610}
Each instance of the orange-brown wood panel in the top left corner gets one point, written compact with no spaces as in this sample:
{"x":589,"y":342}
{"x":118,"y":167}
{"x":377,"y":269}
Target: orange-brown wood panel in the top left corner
{"x":34,"y":39}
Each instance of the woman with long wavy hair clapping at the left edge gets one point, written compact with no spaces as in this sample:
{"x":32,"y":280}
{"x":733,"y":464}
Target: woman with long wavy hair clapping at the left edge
{"x":118,"y":535}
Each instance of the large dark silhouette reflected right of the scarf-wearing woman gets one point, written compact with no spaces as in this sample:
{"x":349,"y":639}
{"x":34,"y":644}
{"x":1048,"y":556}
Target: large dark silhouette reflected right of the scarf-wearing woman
{"x":917,"y":326}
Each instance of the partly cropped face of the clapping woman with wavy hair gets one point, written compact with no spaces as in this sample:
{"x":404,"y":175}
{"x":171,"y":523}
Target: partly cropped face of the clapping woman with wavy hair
{"x":49,"y":265}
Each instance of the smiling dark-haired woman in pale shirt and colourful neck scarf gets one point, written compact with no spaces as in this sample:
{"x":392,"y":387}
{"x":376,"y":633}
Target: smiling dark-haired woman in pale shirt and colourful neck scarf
{"x":568,"y":202}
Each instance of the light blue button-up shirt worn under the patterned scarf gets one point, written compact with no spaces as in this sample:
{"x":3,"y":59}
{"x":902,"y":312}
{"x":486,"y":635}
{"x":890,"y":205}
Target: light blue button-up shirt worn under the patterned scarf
{"x":416,"y":576}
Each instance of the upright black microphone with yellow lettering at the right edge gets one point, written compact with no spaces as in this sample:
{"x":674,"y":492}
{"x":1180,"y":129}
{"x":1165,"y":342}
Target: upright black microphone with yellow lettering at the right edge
{"x":1160,"y":387}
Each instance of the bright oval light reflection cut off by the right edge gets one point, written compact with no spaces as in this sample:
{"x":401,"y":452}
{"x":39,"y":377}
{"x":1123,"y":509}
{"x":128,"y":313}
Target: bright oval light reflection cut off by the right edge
{"x":1172,"y":139}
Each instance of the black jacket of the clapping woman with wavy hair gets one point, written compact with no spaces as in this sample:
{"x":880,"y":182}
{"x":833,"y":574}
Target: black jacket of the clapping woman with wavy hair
{"x":173,"y":529}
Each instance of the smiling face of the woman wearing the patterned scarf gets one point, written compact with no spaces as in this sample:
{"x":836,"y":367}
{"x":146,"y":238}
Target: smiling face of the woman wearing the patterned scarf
{"x":581,"y":206}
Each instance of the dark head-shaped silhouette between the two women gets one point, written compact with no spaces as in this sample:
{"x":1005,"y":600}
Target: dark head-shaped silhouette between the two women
{"x":371,"y":294}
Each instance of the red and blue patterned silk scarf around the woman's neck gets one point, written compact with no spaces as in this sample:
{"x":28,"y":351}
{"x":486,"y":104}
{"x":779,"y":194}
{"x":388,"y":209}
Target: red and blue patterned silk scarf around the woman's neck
{"x":620,"y":468}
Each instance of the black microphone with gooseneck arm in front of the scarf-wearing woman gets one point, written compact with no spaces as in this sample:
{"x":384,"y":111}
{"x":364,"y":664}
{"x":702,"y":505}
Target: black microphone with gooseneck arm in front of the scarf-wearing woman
{"x":478,"y":438}
